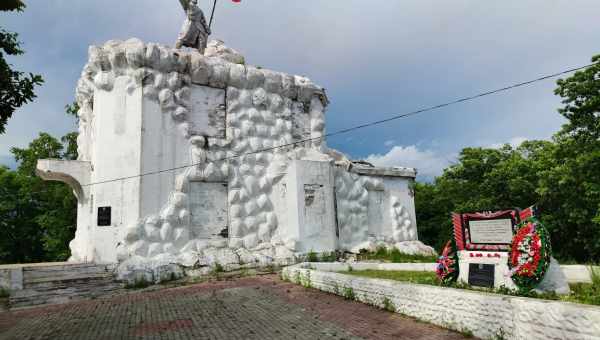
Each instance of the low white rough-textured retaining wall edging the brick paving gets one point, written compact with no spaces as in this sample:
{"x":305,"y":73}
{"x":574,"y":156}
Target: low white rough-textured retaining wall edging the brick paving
{"x":488,"y":316}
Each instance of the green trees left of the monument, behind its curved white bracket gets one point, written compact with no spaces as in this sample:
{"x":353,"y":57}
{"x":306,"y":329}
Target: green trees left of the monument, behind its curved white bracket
{"x":37,"y":218}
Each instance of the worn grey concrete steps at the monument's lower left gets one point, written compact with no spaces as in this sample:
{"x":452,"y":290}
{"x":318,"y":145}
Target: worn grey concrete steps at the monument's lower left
{"x":56,"y":284}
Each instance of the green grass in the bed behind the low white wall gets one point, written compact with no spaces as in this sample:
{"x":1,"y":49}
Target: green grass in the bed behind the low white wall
{"x":585,"y":293}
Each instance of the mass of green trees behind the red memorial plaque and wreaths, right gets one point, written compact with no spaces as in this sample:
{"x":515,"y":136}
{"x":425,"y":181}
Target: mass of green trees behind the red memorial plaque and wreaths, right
{"x":561,"y":176}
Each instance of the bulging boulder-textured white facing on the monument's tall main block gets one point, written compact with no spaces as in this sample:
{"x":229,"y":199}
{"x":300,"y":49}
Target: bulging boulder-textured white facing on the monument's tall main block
{"x":264,"y":109}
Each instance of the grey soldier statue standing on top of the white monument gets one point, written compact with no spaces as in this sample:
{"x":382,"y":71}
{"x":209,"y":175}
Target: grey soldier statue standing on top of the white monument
{"x":195,"y":31}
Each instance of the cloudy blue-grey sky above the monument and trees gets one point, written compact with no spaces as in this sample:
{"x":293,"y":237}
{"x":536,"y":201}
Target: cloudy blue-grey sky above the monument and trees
{"x":375,"y":58}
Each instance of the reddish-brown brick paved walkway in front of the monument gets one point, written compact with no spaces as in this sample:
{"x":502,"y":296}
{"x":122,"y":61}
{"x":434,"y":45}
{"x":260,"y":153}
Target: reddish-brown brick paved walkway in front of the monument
{"x":250,"y":308}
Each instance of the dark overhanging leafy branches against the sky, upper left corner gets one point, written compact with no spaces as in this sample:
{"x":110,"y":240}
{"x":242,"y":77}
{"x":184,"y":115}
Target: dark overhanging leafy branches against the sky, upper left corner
{"x":16,"y":88}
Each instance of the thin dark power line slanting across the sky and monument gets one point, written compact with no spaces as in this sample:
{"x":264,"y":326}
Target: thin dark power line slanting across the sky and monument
{"x":357,"y":127}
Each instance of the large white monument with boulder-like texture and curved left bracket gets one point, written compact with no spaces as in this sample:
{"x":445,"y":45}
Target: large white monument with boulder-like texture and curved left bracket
{"x":151,"y":110}
